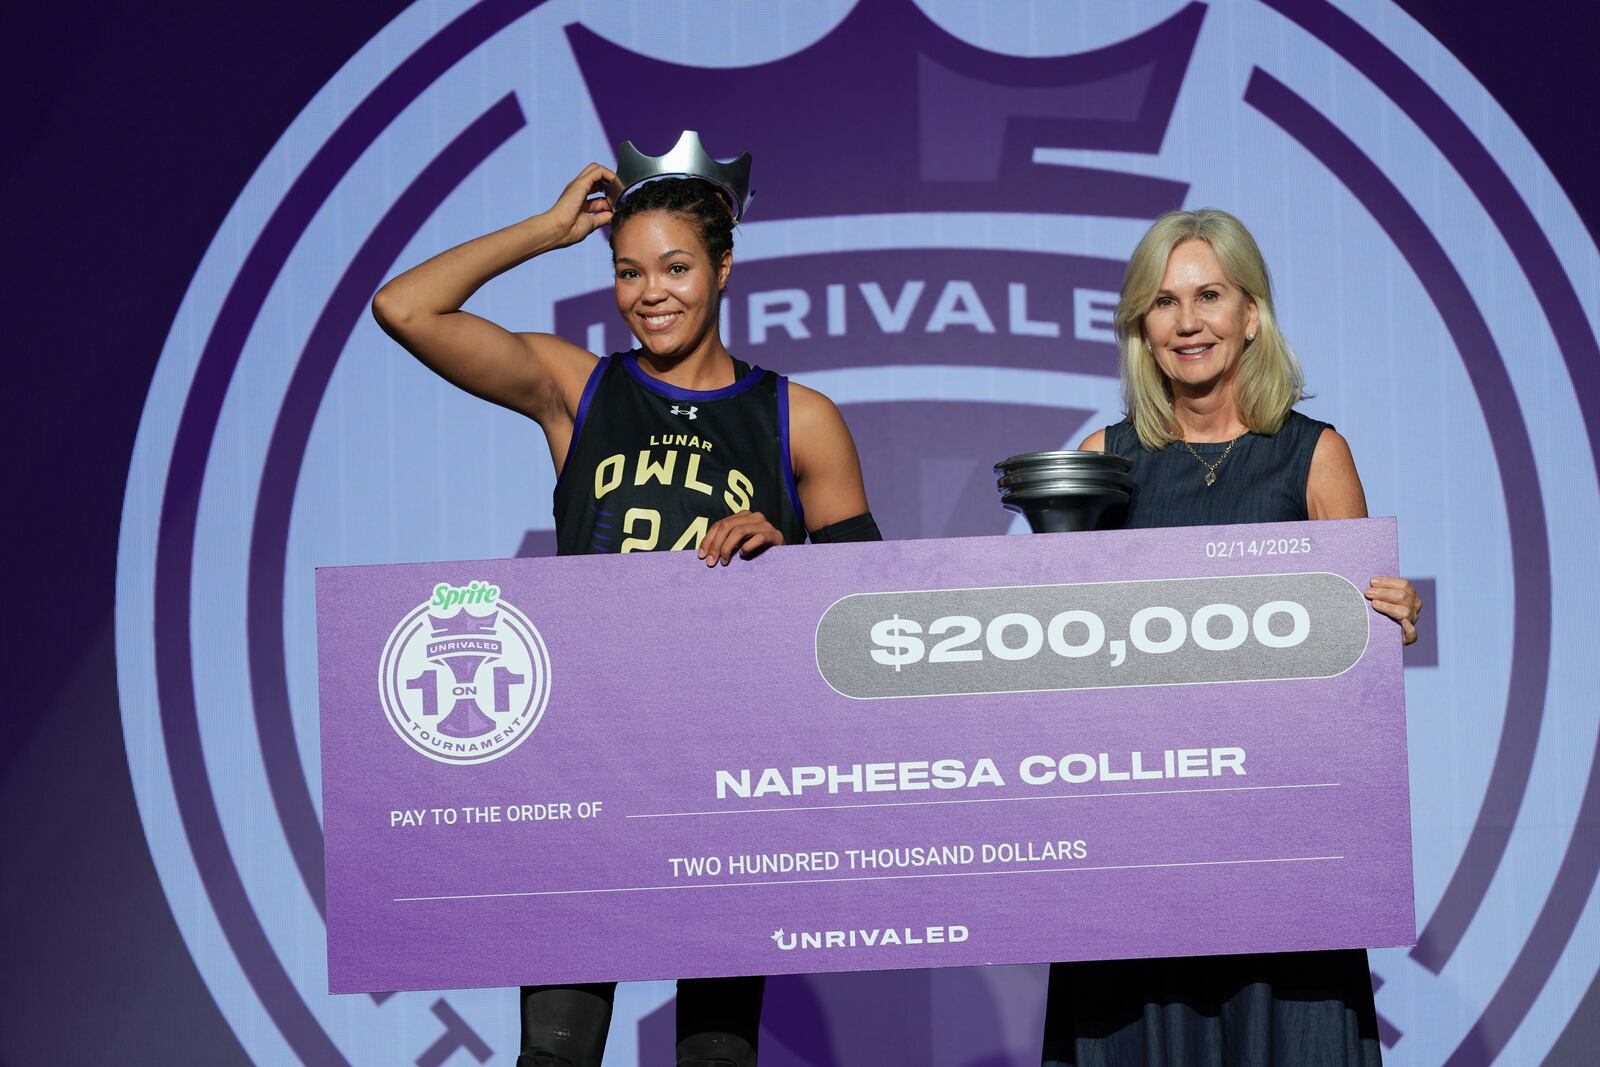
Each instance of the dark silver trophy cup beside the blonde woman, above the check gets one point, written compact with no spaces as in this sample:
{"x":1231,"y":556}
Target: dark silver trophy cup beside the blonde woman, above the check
{"x":1065,"y":492}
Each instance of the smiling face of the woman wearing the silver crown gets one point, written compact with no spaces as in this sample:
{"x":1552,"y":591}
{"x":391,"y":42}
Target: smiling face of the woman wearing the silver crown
{"x":668,"y":290}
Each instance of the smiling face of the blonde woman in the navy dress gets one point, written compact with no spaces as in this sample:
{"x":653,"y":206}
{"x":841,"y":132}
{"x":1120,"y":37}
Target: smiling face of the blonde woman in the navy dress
{"x":1201,"y":322}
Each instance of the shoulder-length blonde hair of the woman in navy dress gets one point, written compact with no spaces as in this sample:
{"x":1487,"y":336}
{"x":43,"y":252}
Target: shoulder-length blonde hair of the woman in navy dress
{"x":1270,"y":377}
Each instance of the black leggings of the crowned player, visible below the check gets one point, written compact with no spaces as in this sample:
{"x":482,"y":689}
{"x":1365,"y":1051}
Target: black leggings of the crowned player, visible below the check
{"x":719,"y":1023}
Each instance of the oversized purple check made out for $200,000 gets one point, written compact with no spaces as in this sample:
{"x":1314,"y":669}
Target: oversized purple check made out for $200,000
{"x":854,"y":757}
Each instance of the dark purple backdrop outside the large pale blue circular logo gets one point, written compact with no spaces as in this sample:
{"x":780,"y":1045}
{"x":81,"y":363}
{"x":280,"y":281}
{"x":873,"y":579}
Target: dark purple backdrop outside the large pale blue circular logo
{"x":130,"y":130}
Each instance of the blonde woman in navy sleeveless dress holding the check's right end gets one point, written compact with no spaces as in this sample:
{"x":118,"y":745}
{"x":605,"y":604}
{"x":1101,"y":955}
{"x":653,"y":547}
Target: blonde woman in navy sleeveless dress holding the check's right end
{"x":1214,"y":438}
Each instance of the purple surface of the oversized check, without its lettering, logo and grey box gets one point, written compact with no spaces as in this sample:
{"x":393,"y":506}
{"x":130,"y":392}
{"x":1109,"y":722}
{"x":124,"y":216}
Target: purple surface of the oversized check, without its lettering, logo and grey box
{"x":657,"y":687}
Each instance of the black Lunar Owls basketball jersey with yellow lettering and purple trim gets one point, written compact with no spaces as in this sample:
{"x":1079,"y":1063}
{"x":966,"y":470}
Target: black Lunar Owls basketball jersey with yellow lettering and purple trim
{"x":654,"y":466}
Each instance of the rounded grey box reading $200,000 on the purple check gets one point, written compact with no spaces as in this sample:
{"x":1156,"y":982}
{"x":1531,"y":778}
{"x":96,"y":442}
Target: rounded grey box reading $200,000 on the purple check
{"x":1092,"y":636}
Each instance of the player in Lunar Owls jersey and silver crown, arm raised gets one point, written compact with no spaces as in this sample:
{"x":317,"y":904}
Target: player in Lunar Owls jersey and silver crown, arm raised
{"x":678,"y":446}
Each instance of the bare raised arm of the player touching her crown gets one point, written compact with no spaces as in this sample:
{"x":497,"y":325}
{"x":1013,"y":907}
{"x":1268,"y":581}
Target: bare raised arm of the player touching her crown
{"x":534,"y":374}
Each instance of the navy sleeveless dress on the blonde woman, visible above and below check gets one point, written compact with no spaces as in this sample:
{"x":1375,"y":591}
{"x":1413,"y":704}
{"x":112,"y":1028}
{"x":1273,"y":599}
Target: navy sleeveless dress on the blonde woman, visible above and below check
{"x":1268,"y":1010}
